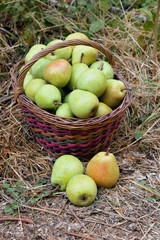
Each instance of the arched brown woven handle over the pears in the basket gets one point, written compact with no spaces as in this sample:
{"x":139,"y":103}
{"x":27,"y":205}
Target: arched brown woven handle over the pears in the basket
{"x":19,"y":87}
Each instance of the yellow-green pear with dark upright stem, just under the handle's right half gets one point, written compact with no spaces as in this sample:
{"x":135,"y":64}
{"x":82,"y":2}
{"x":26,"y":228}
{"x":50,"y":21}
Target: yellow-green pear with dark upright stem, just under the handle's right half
{"x":84,"y":54}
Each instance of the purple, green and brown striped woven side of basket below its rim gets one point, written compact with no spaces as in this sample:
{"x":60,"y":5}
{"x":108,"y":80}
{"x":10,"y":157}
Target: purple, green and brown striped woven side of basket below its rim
{"x":99,"y":142}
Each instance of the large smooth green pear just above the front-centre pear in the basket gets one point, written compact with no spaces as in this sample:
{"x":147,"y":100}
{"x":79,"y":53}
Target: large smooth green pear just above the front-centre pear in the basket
{"x":92,"y":80}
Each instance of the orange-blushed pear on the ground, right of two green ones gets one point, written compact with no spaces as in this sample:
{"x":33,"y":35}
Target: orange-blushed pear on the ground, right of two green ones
{"x":103,"y":169}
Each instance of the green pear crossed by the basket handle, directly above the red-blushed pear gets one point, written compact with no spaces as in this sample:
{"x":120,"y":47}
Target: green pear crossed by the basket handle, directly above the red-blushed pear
{"x":61,"y":53}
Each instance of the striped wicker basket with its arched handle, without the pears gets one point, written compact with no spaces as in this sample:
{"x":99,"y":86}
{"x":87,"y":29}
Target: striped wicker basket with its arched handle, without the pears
{"x":80,"y":137}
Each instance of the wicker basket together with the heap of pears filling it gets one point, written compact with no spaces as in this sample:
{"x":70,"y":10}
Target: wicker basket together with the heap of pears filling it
{"x":72,"y":95}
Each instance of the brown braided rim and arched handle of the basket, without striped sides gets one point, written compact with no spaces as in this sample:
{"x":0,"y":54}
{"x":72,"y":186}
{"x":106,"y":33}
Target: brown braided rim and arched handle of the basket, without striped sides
{"x":68,"y":123}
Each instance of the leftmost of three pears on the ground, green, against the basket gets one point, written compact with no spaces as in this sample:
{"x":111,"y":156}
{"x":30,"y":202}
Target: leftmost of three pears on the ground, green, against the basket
{"x":65,"y":167}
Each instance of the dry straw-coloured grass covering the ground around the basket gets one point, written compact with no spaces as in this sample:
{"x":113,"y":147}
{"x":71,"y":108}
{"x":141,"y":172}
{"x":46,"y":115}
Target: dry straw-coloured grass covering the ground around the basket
{"x":128,"y":211}
